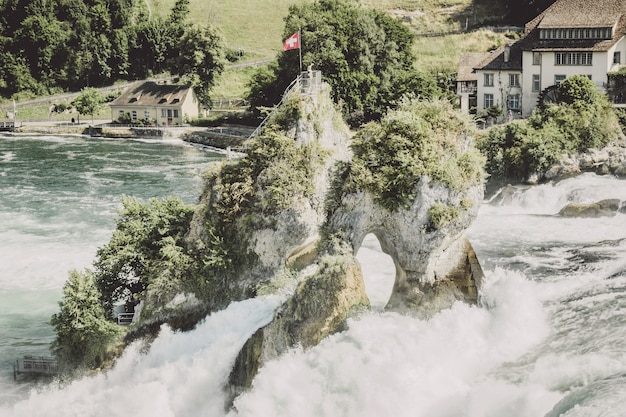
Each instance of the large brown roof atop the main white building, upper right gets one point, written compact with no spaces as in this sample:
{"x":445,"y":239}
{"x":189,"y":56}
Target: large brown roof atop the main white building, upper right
{"x":577,"y":14}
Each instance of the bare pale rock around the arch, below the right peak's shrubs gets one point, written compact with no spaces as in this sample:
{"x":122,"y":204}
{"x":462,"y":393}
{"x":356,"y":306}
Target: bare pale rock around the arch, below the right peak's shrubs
{"x":434,"y":266}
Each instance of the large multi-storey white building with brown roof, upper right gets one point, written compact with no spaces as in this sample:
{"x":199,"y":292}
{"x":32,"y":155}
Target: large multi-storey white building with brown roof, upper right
{"x":571,"y":37}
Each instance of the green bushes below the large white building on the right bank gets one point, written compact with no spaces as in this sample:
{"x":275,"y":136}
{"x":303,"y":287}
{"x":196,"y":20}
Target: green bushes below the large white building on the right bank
{"x":582,"y":119}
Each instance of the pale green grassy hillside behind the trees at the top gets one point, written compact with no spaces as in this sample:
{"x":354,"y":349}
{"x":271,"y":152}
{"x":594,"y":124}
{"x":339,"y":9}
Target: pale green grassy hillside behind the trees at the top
{"x":256,"y":26}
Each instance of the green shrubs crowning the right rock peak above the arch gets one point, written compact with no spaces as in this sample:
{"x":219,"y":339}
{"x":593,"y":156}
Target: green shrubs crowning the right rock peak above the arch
{"x":419,"y":138}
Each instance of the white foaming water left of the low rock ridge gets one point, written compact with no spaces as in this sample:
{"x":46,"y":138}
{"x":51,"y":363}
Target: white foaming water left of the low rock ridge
{"x":181,"y":375}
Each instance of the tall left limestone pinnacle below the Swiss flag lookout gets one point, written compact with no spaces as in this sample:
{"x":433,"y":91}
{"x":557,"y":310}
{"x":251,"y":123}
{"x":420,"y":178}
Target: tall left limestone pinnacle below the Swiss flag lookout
{"x":278,"y":221}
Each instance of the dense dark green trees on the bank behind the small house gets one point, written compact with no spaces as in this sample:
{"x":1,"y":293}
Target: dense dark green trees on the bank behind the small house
{"x":65,"y":45}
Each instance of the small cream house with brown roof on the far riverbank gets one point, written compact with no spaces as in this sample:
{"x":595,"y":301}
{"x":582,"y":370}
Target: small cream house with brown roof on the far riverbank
{"x":156,"y":104}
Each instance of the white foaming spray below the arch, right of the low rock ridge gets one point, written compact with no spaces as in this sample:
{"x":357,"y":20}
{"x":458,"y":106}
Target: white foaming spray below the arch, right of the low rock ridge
{"x":390,"y":364}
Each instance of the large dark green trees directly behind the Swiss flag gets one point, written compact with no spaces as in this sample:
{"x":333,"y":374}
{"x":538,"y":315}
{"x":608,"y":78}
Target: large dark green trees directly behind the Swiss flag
{"x":365,"y":55}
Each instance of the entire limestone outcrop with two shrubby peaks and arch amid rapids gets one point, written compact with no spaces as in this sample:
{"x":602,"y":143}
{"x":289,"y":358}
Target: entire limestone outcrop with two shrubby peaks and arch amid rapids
{"x":291,"y":215}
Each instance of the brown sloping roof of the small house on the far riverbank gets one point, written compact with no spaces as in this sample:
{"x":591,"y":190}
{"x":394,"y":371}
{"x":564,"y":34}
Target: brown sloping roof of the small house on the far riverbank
{"x":152,"y":94}
